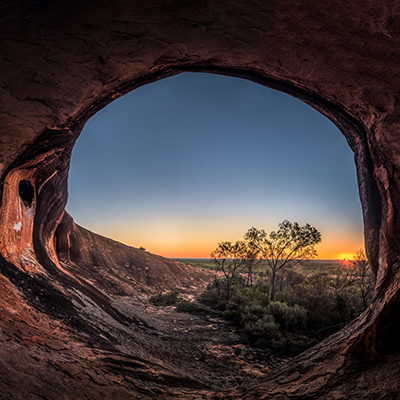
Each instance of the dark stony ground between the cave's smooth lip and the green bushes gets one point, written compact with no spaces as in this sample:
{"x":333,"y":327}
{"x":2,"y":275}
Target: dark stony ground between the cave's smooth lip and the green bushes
{"x":206,"y":345}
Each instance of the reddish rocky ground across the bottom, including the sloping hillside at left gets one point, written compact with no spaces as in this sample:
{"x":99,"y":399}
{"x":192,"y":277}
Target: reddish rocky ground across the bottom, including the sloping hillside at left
{"x":86,"y":329}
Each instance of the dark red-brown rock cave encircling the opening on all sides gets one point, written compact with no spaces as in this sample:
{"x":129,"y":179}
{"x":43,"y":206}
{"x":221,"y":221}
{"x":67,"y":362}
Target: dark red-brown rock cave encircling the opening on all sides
{"x":63,"y":329}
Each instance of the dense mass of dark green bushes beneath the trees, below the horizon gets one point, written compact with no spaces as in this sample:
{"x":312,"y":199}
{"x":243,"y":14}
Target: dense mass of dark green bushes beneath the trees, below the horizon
{"x":308,"y":307}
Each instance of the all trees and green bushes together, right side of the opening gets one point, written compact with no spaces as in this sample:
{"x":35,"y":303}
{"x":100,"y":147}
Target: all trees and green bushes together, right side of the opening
{"x":278,"y":300}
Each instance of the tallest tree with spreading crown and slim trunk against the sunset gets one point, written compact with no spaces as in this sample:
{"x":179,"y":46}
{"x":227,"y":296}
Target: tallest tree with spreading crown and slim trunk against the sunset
{"x":280,"y":249}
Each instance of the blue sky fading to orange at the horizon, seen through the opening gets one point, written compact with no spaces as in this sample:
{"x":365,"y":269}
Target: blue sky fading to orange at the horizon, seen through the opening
{"x":181,"y":164}
